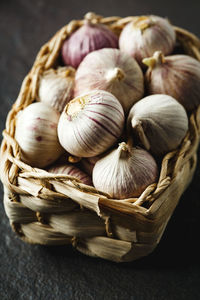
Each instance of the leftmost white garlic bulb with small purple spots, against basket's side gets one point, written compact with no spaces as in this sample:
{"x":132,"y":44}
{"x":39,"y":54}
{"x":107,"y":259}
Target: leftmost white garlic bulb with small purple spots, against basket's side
{"x":36,"y":134}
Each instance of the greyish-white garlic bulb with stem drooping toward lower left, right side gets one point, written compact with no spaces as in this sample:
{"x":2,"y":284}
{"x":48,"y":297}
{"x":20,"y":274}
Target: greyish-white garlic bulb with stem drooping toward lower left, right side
{"x":160,"y":123}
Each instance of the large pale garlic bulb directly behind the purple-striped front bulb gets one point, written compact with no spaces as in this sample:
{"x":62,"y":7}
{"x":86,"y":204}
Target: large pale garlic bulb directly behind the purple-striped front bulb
{"x":113,"y":71}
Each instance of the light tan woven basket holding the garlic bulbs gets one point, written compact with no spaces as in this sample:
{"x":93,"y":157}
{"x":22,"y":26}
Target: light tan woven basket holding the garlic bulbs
{"x":53,"y":210}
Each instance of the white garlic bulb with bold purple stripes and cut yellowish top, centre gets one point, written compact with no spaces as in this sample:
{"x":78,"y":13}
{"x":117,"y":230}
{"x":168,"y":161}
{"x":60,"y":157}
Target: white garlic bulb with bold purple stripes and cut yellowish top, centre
{"x":90,"y":124}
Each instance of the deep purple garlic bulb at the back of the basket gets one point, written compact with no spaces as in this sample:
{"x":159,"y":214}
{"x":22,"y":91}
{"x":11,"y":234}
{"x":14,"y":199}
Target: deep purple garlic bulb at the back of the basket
{"x":87,"y":38}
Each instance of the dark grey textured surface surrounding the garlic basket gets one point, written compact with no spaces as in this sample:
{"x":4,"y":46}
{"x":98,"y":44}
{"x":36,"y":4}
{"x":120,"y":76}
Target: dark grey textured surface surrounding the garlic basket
{"x":172,"y":271}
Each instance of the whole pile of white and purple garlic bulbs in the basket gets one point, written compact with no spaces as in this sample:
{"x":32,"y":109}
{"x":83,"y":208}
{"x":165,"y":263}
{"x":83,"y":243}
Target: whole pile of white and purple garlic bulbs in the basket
{"x":116,"y":106}
